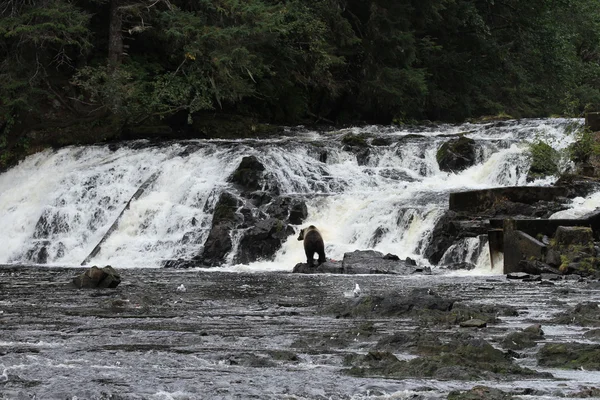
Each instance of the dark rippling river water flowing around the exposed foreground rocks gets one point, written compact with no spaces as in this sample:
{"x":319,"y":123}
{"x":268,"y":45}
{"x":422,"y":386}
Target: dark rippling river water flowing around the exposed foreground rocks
{"x":165,"y":334}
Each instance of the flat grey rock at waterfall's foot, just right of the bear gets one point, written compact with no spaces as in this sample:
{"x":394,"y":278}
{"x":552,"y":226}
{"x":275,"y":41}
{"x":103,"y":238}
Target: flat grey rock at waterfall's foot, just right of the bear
{"x":373,"y":262}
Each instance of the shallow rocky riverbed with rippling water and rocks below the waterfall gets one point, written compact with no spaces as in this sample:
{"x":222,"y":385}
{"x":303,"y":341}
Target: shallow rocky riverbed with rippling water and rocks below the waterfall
{"x":170,"y":334}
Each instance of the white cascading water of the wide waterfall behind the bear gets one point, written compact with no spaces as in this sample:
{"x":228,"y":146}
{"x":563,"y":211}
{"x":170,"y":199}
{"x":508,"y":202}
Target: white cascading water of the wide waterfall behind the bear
{"x":65,"y":201}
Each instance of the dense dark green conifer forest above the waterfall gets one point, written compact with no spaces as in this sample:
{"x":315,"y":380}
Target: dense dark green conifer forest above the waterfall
{"x":82,"y":71}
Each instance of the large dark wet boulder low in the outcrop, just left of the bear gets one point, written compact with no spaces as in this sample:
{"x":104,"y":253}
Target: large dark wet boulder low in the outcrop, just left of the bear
{"x":262,"y":241}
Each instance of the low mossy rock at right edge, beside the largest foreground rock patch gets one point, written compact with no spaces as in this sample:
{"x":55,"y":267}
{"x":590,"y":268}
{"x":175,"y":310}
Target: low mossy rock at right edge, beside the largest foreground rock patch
{"x":570,"y":356}
